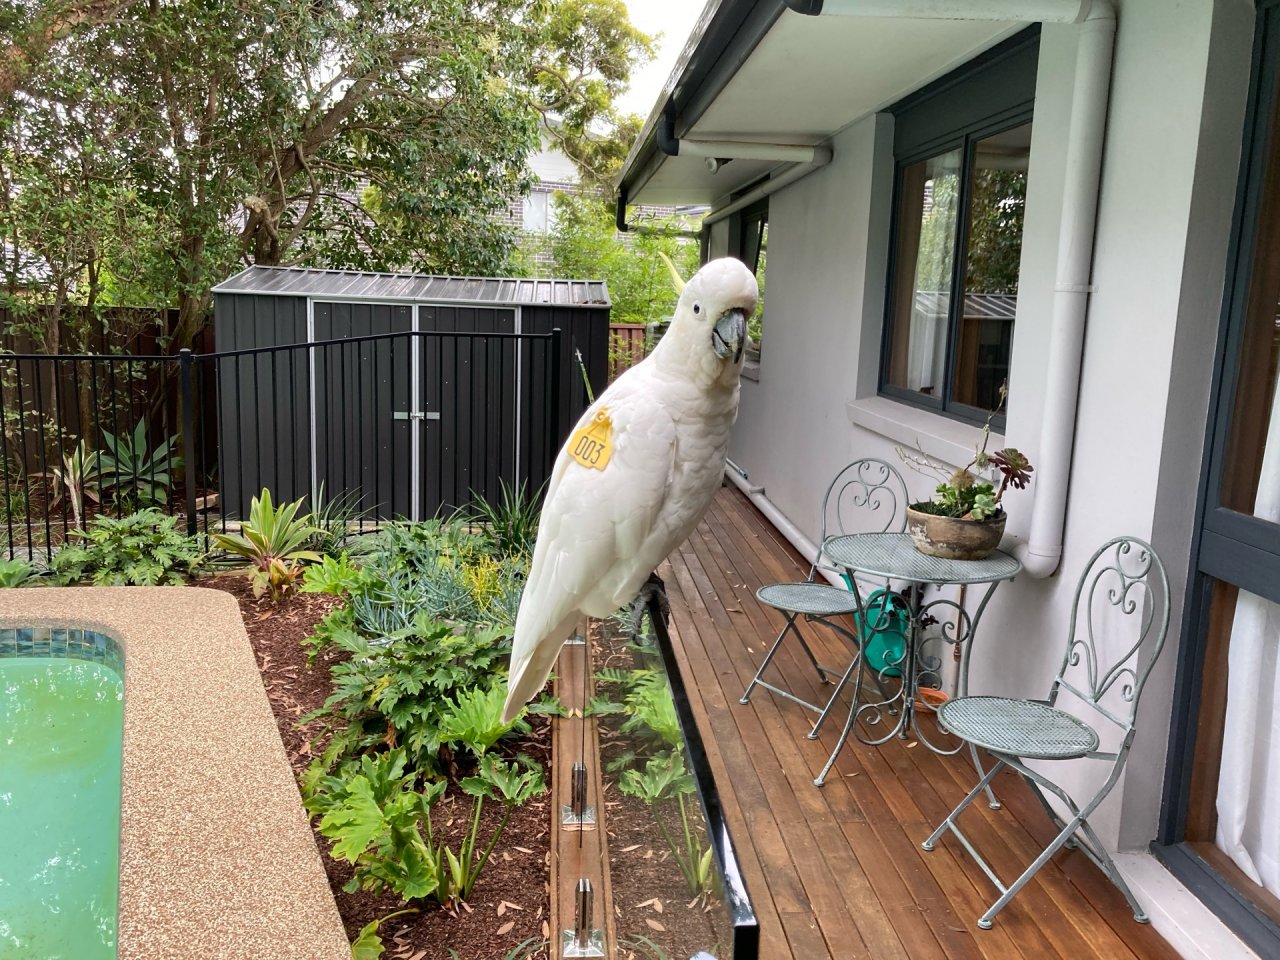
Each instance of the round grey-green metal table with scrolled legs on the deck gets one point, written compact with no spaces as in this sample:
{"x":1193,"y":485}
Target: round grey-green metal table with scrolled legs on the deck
{"x":894,"y":559}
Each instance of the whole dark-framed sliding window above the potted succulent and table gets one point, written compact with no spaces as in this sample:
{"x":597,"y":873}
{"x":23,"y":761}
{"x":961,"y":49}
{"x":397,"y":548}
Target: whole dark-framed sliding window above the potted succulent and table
{"x":962,"y":152}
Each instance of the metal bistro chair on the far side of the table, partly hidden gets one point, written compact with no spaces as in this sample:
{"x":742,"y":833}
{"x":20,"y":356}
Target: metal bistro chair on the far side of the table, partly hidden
{"x":868,"y":496}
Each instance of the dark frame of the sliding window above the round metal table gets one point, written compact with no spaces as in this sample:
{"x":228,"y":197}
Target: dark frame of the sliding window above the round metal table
{"x":993,"y":94}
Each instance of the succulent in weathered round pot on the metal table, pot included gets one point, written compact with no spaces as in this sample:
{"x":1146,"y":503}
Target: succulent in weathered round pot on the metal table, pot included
{"x":966,"y":519}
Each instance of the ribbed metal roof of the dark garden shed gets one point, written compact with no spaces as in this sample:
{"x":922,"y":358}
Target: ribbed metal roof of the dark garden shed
{"x":419,"y":289}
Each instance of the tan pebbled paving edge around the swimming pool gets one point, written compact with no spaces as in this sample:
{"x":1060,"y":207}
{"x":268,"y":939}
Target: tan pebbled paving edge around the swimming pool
{"x":217,"y":856}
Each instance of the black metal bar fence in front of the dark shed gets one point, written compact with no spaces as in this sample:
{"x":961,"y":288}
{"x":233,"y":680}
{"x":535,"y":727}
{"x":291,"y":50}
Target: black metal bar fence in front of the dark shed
{"x":400,"y":426}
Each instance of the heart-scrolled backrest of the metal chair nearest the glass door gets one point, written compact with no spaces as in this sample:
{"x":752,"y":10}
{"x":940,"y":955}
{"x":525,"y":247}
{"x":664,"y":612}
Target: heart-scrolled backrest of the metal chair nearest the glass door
{"x":1119,"y":623}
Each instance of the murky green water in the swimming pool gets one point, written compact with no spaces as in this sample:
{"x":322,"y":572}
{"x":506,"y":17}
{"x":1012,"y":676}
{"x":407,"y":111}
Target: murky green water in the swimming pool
{"x":61,"y":728}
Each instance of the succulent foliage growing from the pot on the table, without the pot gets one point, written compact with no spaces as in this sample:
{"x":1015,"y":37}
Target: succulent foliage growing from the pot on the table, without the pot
{"x":962,"y":493}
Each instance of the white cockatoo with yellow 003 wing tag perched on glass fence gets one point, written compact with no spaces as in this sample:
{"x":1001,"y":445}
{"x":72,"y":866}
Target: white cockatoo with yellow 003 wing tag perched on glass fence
{"x":637,"y":474}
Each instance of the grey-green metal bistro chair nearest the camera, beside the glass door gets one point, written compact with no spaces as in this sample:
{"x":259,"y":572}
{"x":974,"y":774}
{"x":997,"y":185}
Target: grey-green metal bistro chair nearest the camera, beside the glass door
{"x":1122,"y":602}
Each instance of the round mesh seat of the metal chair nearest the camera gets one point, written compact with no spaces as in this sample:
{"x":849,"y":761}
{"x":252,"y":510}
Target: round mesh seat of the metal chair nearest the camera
{"x":1020,"y":728}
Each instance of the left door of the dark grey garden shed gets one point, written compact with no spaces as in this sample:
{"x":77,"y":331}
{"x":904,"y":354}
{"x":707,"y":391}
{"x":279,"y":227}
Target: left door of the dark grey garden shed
{"x":363,"y":405}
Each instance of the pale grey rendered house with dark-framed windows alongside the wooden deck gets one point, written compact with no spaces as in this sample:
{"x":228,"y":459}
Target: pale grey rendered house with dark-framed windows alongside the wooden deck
{"x":920,"y":177}
